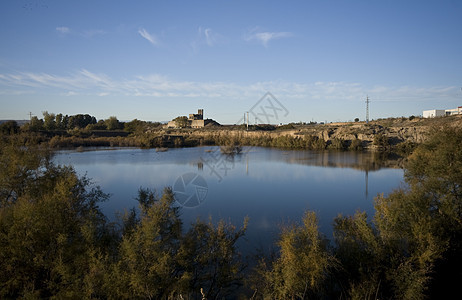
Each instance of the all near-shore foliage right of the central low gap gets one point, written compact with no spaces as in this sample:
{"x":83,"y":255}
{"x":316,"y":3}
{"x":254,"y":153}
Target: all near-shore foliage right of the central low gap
{"x":410,"y":249}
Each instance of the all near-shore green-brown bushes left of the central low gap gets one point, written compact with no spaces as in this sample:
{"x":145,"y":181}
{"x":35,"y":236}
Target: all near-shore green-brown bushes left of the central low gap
{"x":54,"y":241}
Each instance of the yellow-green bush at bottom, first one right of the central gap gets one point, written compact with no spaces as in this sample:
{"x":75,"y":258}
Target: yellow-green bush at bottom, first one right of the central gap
{"x":302,"y":269}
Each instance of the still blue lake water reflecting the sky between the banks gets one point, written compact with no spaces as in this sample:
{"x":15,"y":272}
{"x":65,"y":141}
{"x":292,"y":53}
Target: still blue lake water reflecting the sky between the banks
{"x":271,"y":186}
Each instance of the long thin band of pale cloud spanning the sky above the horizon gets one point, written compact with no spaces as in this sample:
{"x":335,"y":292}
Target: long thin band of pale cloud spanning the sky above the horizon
{"x":89,"y":83}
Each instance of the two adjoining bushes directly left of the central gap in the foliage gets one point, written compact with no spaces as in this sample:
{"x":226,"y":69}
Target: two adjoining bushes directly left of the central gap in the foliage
{"x":158,"y":260}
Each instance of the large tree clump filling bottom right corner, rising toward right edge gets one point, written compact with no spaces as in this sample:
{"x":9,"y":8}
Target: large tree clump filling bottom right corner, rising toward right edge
{"x":412,"y":248}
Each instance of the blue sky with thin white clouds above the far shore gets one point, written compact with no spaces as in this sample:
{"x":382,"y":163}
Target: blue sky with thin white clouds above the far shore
{"x":155,"y":60}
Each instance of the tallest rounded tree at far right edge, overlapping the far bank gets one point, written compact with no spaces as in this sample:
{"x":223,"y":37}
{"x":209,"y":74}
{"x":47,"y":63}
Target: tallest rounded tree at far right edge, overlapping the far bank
{"x":435,"y":169}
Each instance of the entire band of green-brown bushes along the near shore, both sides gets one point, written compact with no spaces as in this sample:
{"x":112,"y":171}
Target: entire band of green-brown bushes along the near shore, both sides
{"x":55,"y":242}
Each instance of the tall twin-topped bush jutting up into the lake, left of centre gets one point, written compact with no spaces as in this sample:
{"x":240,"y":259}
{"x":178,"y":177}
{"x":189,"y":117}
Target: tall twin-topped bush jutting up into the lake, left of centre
{"x":147,"y":267}
